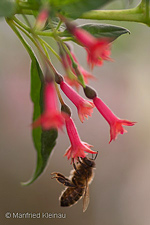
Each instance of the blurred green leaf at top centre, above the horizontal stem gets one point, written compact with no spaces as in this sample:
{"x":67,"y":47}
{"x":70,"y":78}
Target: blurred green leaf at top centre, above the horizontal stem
{"x":75,"y":8}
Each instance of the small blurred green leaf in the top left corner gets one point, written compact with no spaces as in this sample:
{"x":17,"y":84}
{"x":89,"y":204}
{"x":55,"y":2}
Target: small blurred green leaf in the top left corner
{"x":7,"y":8}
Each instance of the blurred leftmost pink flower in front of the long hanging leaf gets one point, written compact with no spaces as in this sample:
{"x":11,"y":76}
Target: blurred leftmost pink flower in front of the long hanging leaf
{"x":51,"y":117}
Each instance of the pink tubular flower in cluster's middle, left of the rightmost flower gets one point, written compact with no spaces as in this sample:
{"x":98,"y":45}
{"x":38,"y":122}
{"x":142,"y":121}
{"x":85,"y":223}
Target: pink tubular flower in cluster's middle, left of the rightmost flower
{"x":84,"y":107}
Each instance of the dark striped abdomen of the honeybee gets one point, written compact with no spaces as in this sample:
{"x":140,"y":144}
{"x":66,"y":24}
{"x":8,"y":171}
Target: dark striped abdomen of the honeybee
{"x":70,"y":196}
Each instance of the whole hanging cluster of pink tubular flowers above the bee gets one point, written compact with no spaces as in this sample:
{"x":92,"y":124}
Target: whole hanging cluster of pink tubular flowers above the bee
{"x":98,"y":50}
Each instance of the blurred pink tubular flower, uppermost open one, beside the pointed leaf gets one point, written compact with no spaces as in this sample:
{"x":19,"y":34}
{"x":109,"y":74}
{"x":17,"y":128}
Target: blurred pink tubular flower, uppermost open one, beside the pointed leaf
{"x":98,"y":49}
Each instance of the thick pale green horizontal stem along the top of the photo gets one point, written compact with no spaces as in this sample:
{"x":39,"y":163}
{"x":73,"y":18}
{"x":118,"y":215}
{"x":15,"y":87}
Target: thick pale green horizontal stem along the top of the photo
{"x":138,"y":14}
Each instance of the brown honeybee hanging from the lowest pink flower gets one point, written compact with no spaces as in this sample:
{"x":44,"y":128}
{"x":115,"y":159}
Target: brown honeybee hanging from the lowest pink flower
{"x":77,"y":185}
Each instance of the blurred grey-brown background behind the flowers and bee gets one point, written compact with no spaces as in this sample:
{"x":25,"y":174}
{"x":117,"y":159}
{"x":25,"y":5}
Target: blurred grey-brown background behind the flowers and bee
{"x":120,"y":191}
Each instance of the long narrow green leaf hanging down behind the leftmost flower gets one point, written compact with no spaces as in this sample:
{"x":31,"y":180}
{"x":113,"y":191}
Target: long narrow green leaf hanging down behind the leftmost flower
{"x":44,"y":141}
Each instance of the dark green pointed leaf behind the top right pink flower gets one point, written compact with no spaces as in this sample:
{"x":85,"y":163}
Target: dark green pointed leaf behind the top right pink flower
{"x":100,"y":31}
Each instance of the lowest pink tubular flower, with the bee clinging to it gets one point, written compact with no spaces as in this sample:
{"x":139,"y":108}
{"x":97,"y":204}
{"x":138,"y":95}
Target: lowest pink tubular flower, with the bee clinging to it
{"x":78,"y":147}
